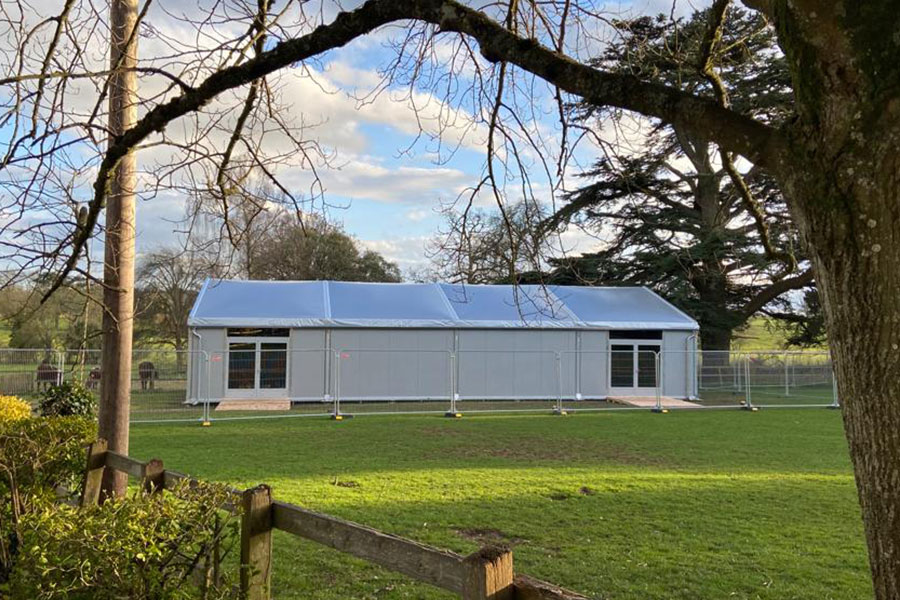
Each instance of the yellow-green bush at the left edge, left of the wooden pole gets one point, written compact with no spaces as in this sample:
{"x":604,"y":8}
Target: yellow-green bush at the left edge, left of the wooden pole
{"x":37,"y":456}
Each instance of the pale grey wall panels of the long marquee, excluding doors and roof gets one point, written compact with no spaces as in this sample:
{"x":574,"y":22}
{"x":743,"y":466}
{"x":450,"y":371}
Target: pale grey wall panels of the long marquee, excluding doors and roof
{"x":415,"y":363}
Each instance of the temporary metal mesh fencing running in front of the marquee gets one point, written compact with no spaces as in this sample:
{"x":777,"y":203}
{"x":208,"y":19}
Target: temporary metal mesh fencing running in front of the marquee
{"x":377,"y":381}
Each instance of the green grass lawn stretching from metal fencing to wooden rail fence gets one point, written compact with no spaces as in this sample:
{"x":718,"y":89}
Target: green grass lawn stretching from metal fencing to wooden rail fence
{"x":712,"y":504}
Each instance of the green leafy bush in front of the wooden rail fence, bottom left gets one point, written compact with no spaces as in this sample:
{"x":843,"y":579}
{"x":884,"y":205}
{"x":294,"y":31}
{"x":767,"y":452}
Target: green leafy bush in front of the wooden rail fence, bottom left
{"x":142,"y":547}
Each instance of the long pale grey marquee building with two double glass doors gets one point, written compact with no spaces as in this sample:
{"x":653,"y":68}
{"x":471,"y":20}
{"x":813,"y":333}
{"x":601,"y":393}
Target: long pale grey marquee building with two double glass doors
{"x":308,"y":341}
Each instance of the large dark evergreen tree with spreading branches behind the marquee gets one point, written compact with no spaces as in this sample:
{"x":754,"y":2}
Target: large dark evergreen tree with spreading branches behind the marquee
{"x":678,"y":215}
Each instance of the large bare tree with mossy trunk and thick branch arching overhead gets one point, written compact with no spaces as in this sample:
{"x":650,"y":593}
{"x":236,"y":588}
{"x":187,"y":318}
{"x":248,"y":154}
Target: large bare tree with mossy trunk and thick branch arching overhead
{"x":209,"y":101}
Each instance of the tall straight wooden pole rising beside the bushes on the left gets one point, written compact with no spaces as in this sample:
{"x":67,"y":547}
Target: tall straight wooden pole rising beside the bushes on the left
{"x":118,"y":268}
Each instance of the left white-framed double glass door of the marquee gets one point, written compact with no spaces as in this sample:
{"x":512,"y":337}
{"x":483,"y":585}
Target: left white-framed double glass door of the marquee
{"x":257,"y":368}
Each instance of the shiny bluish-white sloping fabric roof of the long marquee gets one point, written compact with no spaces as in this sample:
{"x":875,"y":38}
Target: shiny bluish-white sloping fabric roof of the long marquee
{"x":234,"y":303}
